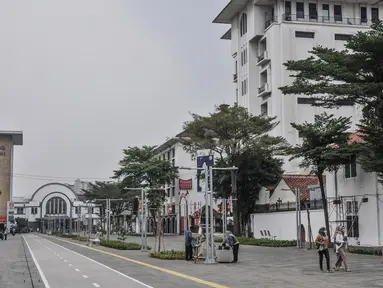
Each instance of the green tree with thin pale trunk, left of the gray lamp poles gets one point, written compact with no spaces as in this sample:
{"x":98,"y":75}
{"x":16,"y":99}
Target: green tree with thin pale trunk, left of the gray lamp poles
{"x":141,"y":168}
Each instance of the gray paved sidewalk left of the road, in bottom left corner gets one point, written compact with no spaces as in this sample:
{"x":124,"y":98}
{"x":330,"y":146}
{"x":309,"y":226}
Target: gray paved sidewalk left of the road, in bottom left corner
{"x":17,"y":269}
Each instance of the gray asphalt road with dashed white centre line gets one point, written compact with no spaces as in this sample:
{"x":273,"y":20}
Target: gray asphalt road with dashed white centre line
{"x":61,"y":267}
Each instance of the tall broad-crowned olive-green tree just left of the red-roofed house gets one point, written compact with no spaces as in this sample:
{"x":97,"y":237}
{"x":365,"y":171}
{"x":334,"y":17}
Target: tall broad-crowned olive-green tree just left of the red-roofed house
{"x":233,"y":134}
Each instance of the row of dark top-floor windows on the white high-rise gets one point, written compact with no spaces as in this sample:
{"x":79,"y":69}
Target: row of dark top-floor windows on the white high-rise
{"x":313,"y":12}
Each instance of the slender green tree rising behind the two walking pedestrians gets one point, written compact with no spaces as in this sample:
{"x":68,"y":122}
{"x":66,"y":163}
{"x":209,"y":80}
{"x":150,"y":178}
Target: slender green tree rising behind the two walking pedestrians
{"x":317,"y":151}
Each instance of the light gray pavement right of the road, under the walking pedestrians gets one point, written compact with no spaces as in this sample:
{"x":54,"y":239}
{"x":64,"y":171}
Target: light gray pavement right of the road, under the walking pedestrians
{"x":258,"y":267}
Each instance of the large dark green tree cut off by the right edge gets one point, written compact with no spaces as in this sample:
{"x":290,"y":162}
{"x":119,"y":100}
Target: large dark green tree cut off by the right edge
{"x":353,"y":75}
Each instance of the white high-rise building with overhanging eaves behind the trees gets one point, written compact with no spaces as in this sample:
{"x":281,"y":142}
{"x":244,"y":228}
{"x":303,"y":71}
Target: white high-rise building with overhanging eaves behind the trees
{"x":265,"y":34}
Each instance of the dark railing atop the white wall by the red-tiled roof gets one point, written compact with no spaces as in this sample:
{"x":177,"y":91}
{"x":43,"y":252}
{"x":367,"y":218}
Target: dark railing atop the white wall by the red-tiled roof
{"x":288,"y":206}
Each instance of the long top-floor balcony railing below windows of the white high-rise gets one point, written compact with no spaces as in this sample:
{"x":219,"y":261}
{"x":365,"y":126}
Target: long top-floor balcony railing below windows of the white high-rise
{"x":337,"y":19}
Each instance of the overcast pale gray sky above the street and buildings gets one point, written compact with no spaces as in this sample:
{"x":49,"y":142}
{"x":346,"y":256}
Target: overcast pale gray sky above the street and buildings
{"x":85,"y":78}
